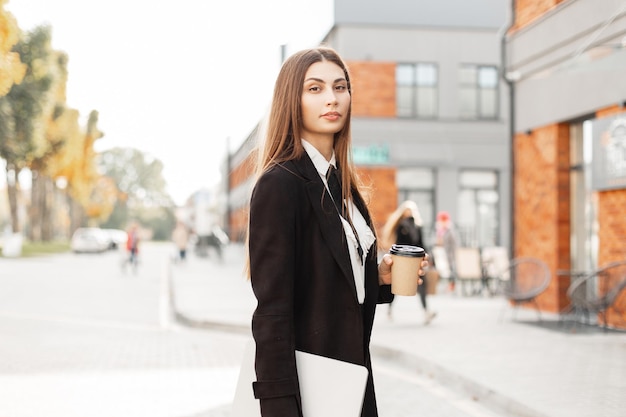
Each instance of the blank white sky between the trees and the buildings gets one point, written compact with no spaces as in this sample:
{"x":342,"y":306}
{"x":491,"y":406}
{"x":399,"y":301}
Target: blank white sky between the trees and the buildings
{"x":175,"y":78}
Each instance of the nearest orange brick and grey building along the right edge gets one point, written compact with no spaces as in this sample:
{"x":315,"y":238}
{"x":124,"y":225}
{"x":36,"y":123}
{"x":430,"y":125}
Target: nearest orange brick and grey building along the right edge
{"x":566,"y":63}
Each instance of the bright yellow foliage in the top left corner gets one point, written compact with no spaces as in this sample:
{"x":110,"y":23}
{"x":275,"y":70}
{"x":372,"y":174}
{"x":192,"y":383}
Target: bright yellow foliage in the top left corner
{"x":12,"y":70}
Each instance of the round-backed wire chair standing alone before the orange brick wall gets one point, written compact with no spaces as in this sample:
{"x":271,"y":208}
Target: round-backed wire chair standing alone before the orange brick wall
{"x":524,"y":280}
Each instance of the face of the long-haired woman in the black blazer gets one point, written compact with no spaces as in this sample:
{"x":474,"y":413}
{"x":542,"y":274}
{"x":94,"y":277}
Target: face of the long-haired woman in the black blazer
{"x":325,"y":101}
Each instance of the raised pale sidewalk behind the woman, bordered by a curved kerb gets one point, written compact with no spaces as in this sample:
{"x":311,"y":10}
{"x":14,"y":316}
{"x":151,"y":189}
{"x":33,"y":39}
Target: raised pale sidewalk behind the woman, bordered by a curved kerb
{"x":509,"y":361}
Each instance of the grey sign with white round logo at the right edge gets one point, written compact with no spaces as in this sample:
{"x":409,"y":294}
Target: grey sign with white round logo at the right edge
{"x":609,"y":153}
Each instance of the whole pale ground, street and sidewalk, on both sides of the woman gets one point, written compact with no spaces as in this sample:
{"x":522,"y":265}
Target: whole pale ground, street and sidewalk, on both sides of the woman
{"x":473,"y":360}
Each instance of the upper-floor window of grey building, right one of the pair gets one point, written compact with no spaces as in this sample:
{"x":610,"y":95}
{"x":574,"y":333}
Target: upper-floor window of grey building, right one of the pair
{"x":478,"y":92}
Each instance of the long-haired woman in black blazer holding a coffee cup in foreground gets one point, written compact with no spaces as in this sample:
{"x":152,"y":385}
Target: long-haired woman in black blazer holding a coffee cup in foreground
{"x":312,"y":258}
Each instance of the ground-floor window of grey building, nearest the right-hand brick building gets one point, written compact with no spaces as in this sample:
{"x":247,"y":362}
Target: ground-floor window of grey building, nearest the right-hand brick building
{"x":478,"y":202}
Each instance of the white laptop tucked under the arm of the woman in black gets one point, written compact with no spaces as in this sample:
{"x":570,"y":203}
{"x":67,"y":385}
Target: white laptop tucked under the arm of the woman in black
{"x":328,"y":387}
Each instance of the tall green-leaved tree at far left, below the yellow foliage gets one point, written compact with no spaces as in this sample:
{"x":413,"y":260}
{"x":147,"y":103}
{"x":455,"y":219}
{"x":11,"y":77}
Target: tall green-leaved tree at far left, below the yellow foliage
{"x":21,"y":125}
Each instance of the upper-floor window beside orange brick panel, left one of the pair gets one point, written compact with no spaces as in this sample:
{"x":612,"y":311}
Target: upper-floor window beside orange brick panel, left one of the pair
{"x":417,"y":90}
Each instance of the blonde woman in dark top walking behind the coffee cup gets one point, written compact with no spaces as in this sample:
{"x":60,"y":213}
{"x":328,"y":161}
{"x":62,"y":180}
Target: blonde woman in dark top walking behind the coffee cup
{"x":404,"y":227}
